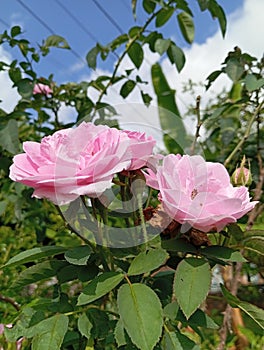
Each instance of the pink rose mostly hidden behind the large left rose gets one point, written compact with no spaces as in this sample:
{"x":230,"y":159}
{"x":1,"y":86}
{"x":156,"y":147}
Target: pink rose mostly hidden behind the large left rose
{"x":141,"y":147}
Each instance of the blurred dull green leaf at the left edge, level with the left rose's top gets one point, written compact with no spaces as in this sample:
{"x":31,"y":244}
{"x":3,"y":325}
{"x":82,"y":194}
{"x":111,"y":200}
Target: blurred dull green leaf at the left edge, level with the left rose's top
{"x":9,"y":137}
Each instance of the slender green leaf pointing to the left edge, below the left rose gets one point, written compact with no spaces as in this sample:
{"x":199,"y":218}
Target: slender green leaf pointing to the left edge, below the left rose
{"x":34,"y":254}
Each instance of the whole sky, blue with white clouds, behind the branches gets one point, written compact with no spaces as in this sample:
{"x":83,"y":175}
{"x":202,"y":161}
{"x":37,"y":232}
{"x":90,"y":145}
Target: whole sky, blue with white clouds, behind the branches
{"x":245,"y":29}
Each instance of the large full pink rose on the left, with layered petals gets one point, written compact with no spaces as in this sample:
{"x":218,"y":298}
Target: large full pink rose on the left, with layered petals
{"x":72,"y":162}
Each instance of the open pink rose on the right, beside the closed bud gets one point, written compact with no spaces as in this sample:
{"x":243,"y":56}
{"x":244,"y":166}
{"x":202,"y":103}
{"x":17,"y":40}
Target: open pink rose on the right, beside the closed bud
{"x":199,"y":194}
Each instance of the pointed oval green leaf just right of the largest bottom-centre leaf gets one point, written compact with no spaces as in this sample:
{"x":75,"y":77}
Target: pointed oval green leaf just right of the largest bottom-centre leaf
{"x":191,"y":284}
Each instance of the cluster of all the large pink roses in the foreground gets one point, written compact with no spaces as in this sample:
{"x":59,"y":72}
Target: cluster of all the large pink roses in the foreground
{"x":85,"y":159}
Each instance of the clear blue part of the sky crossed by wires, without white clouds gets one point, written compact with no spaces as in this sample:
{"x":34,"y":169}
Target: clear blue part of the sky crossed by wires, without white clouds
{"x":98,"y":20}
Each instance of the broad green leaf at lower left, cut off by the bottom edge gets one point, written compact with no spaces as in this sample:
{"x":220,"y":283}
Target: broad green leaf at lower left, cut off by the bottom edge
{"x":49,"y":334}
